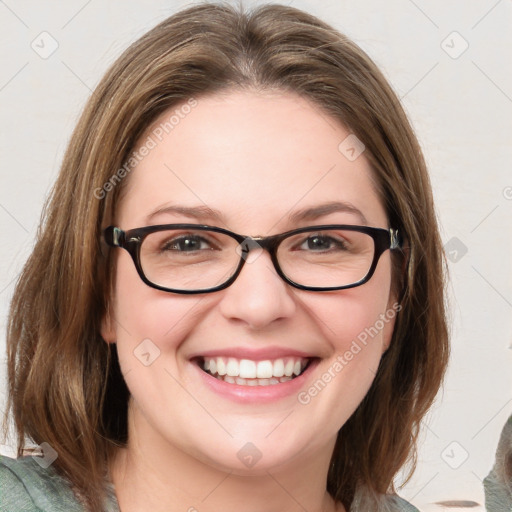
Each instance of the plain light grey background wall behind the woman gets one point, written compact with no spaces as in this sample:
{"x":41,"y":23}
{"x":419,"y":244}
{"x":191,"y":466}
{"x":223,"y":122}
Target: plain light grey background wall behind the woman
{"x":461,"y":109}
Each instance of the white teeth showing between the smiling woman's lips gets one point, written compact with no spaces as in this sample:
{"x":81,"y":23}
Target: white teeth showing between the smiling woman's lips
{"x":246,"y":372}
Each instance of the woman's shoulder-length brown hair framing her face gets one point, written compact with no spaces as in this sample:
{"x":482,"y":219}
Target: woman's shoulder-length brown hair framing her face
{"x":65,"y":386}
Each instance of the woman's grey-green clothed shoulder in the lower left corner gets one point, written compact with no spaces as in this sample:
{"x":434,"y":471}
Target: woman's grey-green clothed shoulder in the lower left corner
{"x":27,"y":486}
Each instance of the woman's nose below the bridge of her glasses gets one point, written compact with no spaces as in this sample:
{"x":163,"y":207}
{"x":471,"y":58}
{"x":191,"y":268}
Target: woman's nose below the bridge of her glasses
{"x":258,"y":297}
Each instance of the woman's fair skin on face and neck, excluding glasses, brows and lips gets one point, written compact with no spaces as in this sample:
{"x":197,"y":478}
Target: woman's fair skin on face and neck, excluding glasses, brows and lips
{"x":256,"y":157}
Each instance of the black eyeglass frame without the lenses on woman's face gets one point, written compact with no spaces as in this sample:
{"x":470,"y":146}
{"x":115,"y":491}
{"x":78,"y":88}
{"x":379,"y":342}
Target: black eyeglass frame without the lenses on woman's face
{"x":131,"y":241}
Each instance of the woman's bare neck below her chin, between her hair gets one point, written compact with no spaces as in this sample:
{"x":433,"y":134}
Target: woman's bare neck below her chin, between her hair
{"x":152,"y":474}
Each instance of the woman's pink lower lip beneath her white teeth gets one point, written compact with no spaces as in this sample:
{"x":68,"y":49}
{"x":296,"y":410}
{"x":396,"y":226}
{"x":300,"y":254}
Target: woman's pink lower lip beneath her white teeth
{"x":257,"y":394}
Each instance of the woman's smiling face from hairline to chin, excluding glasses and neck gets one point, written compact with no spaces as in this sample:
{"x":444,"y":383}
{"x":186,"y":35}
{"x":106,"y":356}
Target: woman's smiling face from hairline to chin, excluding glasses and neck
{"x":248,"y":162}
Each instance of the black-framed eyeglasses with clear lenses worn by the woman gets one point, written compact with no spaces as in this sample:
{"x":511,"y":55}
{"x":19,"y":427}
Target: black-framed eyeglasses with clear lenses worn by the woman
{"x":191,"y":258}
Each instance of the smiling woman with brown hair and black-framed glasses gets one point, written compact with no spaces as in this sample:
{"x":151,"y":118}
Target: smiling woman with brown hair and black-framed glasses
{"x":236,"y":298}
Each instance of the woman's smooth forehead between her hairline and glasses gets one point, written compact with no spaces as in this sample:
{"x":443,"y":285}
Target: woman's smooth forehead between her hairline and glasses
{"x":256,"y":158}
